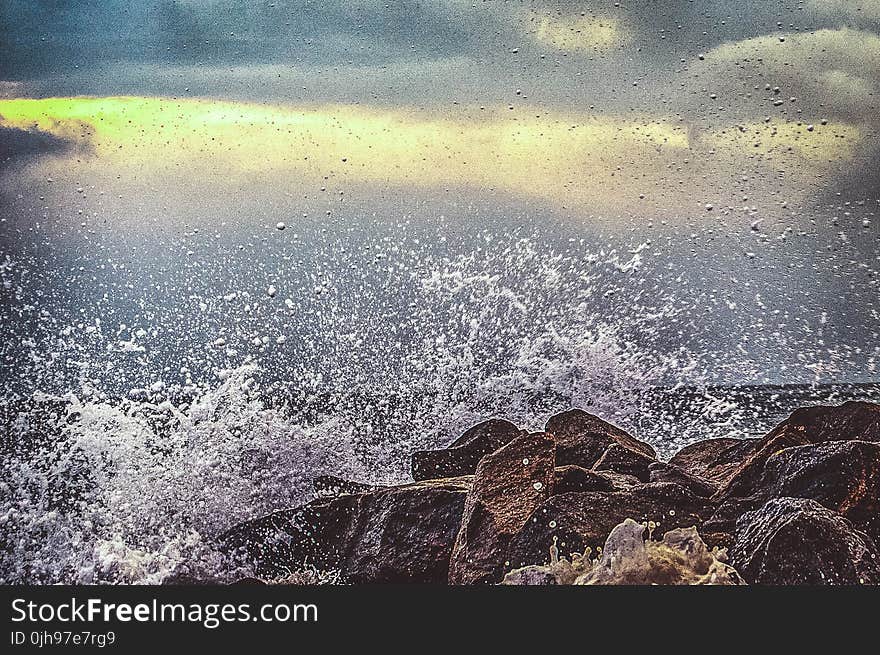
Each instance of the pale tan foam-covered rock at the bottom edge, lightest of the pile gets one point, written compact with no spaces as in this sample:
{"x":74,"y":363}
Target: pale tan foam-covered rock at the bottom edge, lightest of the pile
{"x":628,"y":559}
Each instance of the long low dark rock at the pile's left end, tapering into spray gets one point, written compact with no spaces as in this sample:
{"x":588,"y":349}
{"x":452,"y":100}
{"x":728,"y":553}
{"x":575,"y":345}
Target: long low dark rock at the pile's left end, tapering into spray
{"x":397,"y":534}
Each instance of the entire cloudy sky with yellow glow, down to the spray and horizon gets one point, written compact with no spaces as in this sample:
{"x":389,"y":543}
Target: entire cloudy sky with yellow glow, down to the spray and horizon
{"x":738,"y":143}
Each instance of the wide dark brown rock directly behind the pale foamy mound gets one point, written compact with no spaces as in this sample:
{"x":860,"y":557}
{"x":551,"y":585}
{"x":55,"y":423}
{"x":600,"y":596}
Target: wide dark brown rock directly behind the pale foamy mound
{"x":579,"y":520}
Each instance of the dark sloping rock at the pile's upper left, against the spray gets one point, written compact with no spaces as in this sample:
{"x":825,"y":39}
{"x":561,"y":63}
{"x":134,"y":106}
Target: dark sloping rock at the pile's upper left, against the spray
{"x":463,"y":454}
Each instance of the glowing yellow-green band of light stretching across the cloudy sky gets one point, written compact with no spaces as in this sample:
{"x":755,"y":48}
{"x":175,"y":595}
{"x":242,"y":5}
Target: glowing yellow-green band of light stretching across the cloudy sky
{"x":575,"y":160}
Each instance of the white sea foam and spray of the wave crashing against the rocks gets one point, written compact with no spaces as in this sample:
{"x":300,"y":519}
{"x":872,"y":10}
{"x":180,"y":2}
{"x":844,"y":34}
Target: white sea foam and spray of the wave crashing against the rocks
{"x":104,"y":487}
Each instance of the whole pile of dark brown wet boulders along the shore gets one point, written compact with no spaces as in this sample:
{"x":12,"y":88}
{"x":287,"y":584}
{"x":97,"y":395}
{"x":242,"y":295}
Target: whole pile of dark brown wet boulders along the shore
{"x":584,"y":502}
